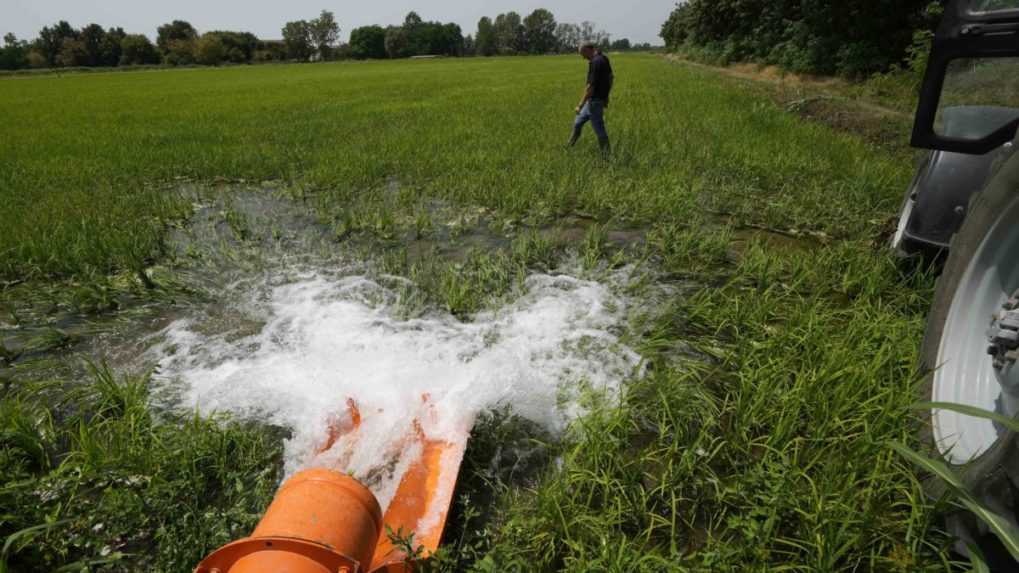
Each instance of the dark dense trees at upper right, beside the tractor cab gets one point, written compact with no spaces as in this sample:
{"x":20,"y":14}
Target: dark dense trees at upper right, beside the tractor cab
{"x":852,"y":38}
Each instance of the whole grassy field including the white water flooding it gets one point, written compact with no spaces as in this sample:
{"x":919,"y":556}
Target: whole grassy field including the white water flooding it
{"x":691,"y":356}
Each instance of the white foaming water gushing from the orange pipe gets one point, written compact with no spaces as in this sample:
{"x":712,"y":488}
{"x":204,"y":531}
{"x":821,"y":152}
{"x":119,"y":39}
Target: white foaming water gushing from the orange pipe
{"x":328,"y":340}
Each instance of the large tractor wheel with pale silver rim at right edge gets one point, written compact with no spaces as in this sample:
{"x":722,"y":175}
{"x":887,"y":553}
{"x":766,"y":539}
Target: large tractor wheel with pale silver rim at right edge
{"x":971,"y":353}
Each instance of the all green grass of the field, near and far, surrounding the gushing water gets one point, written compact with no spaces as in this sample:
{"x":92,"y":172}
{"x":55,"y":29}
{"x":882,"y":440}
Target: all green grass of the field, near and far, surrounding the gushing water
{"x":778,"y":376}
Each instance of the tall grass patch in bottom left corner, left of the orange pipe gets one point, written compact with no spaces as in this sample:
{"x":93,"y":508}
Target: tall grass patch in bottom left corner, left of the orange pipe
{"x":102,"y":483}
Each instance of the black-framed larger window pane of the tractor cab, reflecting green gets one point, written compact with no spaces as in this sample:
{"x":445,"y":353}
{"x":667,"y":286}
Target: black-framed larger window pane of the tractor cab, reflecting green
{"x":980,"y":97}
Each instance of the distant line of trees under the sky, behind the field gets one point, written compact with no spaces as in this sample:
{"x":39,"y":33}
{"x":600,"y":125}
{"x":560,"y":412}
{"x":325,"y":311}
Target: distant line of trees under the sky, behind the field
{"x":180,"y":43}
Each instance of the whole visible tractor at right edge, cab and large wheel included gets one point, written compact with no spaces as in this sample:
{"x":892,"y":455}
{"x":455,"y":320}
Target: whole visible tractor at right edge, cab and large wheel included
{"x":963,"y":209}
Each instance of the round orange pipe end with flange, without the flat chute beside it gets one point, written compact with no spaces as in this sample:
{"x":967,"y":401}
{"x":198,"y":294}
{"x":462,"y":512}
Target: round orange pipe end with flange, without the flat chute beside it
{"x":321,"y":522}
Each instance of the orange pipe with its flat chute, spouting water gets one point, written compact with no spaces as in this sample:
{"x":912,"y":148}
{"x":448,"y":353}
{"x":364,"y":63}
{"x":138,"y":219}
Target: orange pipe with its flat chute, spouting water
{"x":324,"y":522}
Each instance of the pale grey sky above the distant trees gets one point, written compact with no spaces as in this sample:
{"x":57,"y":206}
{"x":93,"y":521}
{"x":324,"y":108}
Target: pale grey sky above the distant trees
{"x":639,"y":21}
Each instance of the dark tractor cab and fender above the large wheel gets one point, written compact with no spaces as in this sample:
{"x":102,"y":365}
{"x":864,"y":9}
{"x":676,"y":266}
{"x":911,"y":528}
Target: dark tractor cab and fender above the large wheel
{"x":968,"y":117}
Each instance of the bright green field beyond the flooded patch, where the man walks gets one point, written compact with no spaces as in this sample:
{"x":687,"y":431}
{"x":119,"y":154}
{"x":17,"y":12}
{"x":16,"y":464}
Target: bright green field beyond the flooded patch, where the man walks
{"x":79,"y":150}
